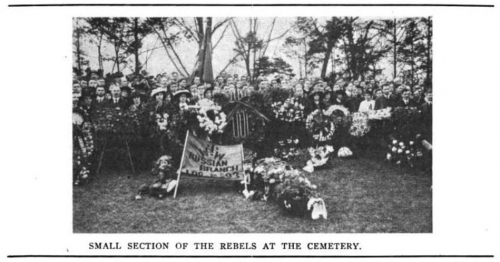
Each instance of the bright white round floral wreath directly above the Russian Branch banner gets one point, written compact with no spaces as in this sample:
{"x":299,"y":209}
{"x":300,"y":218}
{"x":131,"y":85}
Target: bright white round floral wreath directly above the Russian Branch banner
{"x":210,"y":117}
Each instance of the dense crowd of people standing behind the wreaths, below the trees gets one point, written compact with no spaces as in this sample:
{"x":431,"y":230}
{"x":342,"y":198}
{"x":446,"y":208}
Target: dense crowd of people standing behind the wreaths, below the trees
{"x":168,"y":96}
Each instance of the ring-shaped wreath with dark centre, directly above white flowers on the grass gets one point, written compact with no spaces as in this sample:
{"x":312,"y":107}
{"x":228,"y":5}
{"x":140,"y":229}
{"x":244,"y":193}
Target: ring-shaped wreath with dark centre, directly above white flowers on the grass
{"x":322,"y":129}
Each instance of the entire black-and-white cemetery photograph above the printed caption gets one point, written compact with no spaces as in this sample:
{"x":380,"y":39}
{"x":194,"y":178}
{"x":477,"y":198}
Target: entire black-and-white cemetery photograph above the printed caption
{"x":252,"y":125}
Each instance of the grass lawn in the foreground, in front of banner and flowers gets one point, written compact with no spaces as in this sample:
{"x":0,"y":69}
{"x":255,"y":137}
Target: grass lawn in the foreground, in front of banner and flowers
{"x":361,"y":195}
